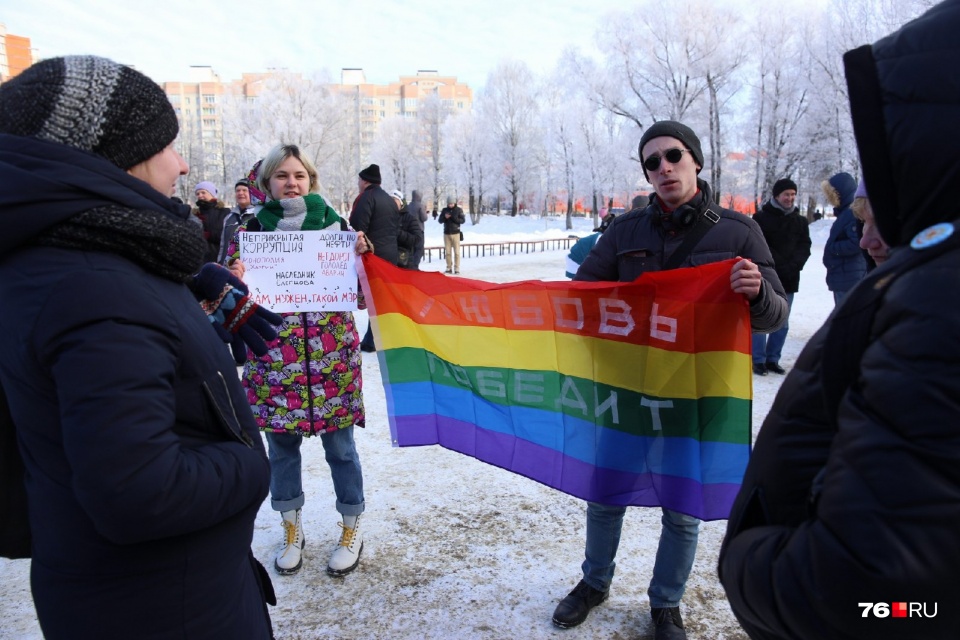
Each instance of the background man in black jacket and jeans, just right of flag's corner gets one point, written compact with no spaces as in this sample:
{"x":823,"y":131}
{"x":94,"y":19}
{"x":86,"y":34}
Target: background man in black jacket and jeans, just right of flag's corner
{"x":788,"y":235}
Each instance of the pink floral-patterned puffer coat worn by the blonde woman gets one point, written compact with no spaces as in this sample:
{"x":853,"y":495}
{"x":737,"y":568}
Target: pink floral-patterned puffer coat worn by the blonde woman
{"x":310,"y":382}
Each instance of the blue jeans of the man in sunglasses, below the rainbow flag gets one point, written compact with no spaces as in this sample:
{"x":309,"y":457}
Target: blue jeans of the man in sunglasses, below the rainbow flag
{"x":675,"y":554}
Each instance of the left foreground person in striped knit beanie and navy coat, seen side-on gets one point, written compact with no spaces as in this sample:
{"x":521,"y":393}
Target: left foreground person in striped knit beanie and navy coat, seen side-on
{"x":144,"y":471}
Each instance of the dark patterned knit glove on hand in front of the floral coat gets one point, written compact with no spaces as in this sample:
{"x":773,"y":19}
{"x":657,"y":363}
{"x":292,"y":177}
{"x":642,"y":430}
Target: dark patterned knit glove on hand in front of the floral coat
{"x":238,"y":320}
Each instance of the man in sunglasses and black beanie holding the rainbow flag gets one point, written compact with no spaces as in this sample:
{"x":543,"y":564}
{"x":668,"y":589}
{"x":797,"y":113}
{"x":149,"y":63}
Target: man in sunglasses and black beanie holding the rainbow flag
{"x":681,"y":227}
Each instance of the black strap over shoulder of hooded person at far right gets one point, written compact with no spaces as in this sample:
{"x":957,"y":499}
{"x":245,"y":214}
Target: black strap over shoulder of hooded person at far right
{"x":849,"y":332}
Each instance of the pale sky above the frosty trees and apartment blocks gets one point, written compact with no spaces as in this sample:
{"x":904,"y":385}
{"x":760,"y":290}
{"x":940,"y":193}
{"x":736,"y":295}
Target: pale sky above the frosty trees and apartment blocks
{"x":386,"y":39}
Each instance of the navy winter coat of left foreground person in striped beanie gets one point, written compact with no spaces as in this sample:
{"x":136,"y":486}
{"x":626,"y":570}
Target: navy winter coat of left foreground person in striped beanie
{"x":144,"y":471}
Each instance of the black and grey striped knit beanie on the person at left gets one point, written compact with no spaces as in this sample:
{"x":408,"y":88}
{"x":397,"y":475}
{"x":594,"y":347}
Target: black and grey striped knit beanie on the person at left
{"x":90,"y":103}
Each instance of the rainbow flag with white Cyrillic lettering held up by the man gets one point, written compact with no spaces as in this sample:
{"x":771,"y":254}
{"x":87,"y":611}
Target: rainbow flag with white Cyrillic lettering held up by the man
{"x":622,"y":393}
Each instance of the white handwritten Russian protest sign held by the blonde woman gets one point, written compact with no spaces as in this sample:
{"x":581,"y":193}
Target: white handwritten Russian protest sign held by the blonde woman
{"x":292,"y":271}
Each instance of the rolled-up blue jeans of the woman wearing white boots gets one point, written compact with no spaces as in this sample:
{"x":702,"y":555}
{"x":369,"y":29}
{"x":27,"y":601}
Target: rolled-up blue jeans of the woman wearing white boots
{"x":340,"y":450}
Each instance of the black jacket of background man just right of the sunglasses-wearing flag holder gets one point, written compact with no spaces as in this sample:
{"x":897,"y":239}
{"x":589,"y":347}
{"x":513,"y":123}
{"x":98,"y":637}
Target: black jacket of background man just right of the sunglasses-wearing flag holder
{"x":788,"y":235}
